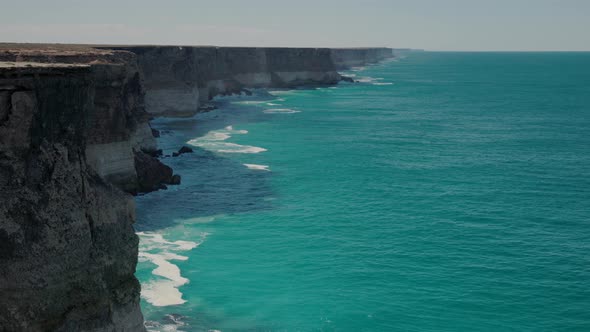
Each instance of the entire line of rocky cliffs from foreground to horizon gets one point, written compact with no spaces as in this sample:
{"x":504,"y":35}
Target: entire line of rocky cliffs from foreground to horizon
{"x":75,"y":142}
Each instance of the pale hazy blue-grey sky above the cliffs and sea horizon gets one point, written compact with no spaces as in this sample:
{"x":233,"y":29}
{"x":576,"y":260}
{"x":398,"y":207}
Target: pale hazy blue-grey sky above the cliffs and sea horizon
{"x":428,"y":24}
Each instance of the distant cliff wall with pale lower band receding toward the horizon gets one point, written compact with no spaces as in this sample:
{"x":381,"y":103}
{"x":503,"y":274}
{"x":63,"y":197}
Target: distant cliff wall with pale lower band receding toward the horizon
{"x":180,"y":79}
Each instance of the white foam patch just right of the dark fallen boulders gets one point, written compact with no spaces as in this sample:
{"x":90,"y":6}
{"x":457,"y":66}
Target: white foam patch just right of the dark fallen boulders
{"x":215,"y":141}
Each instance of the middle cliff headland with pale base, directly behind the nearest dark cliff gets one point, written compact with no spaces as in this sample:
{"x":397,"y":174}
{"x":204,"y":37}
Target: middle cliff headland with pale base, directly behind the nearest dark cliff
{"x":118,"y":128}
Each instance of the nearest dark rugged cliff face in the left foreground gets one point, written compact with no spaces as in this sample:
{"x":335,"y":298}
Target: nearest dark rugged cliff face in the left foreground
{"x":68,"y":250}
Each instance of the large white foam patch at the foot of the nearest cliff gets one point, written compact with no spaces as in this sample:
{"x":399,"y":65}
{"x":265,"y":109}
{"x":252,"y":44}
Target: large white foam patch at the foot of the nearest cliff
{"x":163,"y":290}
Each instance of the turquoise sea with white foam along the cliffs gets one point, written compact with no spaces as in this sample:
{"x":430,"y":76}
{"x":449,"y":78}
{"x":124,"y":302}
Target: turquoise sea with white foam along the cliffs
{"x":446,"y":192}
